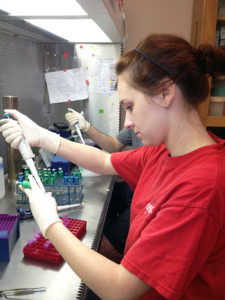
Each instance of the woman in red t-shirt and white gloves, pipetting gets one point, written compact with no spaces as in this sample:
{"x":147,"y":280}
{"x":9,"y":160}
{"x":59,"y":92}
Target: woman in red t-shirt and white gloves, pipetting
{"x":176,"y":243}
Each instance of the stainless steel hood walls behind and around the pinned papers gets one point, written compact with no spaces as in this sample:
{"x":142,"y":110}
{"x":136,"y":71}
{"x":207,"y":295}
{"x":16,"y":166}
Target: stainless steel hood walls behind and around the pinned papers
{"x":23,"y":63}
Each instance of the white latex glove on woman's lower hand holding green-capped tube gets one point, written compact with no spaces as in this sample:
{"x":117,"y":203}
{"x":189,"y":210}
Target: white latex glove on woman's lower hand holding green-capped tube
{"x":43,"y":206}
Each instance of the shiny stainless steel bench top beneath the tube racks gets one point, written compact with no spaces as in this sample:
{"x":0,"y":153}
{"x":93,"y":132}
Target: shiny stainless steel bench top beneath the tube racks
{"x":59,"y":280}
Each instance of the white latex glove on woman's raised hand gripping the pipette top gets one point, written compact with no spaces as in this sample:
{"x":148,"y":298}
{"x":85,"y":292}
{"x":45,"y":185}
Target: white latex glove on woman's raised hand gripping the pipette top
{"x":34,"y":134}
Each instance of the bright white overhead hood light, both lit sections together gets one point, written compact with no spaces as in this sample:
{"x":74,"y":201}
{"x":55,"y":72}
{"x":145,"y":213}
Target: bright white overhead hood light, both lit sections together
{"x":58,"y":17}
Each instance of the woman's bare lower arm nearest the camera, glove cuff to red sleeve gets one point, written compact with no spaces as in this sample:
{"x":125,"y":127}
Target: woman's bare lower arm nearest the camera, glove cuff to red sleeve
{"x":106,"y":278}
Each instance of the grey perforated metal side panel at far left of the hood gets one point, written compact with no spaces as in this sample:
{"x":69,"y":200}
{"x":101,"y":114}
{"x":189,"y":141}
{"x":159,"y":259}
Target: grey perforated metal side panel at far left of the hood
{"x":22,"y":74}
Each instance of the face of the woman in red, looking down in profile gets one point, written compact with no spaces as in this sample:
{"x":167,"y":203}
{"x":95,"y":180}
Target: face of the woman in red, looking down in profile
{"x":143,"y":115}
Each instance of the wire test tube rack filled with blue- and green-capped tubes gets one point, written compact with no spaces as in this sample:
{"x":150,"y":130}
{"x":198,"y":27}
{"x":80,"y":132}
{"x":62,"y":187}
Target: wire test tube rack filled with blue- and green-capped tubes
{"x":65,"y":189}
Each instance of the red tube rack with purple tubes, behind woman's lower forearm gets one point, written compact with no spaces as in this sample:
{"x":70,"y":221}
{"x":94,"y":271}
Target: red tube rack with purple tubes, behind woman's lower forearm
{"x":39,"y":248}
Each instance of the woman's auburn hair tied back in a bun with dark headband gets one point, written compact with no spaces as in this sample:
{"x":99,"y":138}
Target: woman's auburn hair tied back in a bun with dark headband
{"x":161,"y":58}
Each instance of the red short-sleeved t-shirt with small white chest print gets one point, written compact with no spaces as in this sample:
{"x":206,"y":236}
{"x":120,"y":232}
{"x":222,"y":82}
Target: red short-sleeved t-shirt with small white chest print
{"x":176,"y":242}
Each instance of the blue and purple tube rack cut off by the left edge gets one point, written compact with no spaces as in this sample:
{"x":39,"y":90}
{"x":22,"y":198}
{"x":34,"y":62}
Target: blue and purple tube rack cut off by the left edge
{"x":9,"y":233}
